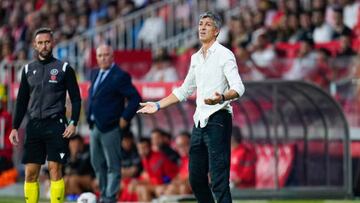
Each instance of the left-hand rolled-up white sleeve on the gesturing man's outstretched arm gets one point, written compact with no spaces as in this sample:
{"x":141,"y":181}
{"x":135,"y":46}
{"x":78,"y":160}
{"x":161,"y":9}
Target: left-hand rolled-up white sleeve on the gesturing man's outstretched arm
{"x":188,"y":86}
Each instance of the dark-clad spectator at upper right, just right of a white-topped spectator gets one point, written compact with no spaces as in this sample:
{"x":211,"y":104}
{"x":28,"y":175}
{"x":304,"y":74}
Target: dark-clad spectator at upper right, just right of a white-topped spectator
{"x":339,"y":27}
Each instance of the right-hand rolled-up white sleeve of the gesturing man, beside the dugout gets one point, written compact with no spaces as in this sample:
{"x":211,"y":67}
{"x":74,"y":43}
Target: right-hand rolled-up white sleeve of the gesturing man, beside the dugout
{"x":232,"y":74}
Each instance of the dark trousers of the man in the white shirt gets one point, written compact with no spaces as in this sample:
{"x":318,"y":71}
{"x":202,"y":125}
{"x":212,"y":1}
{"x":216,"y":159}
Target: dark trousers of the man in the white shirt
{"x":210,"y":152}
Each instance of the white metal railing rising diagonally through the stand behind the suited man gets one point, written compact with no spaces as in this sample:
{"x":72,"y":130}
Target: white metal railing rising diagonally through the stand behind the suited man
{"x":172,"y":27}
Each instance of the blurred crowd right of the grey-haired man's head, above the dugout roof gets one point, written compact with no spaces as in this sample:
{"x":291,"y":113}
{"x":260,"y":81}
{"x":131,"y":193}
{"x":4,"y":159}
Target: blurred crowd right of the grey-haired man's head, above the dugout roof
{"x":295,"y":39}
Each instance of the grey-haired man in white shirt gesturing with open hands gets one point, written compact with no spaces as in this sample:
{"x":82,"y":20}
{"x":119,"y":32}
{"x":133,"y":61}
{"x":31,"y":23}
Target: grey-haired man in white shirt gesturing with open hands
{"x":214,"y":75}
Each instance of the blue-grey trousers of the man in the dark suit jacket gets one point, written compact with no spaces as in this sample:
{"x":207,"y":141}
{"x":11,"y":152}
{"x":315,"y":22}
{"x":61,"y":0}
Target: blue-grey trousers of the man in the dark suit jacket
{"x":106,"y":160}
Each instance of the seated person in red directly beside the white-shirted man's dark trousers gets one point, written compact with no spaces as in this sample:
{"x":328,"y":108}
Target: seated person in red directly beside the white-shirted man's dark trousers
{"x":180,"y":185}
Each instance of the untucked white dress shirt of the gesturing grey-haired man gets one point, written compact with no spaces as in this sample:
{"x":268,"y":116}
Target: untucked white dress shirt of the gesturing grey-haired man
{"x":218,"y":72}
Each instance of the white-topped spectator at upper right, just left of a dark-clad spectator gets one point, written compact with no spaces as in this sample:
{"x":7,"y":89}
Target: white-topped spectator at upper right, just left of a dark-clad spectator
{"x":323,"y":31}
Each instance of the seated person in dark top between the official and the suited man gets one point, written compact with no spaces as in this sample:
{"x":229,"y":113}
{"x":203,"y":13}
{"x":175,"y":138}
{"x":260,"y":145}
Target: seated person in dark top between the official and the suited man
{"x":79,"y":175}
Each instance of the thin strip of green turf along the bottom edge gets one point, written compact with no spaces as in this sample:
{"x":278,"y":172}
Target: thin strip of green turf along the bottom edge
{"x":20,"y":200}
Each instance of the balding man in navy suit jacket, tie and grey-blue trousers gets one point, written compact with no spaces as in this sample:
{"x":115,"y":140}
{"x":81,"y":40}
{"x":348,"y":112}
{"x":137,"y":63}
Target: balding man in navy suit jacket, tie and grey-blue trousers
{"x":108,"y":117}
